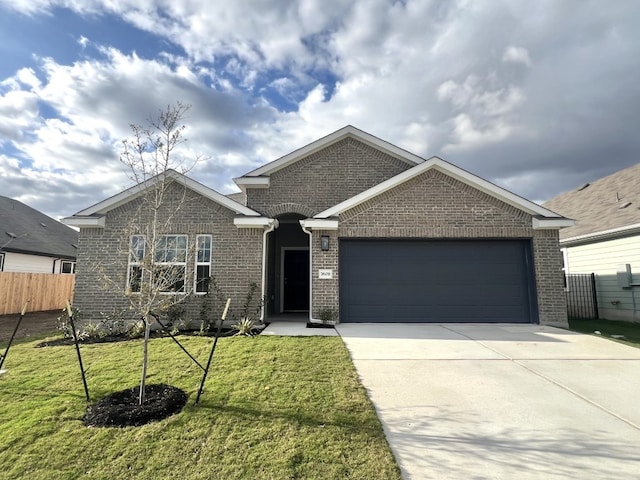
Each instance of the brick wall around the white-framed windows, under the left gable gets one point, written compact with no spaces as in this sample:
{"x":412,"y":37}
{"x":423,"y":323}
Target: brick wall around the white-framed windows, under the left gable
{"x":103,"y":255}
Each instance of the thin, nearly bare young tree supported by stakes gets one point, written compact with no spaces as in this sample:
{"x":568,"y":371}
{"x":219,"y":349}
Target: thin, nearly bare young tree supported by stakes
{"x":157,"y":272}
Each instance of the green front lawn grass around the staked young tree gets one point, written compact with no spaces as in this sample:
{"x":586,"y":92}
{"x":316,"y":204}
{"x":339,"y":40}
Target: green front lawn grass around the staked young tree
{"x":273,"y":408}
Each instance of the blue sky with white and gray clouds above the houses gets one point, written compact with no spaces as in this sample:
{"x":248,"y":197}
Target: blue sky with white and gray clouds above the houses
{"x":537,"y":96}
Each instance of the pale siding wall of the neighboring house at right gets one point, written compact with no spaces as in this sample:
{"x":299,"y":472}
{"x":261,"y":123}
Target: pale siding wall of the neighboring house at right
{"x":603,"y":259}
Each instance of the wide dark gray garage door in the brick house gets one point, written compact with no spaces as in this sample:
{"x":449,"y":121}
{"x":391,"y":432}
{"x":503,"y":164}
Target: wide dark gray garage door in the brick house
{"x":436,"y":281}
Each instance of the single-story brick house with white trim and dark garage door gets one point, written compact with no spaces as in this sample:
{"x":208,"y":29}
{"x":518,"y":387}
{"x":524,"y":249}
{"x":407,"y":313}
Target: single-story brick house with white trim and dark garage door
{"x":350,"y":223}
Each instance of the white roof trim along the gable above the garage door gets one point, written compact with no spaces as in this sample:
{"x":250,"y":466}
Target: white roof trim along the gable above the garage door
{"x":458,"y":173}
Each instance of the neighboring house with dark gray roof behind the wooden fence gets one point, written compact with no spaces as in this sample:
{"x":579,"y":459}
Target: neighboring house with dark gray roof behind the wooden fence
{"x":32,"y":242}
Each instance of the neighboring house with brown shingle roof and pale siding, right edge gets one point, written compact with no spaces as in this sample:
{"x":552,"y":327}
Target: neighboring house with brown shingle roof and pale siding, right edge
{"x":605,"y":239}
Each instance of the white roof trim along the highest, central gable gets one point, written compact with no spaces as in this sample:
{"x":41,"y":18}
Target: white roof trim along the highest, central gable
{"x":346,"y":132}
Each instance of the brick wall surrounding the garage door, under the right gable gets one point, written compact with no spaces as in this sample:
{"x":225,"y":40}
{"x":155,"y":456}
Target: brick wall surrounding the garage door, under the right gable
{"x":436,"y":206}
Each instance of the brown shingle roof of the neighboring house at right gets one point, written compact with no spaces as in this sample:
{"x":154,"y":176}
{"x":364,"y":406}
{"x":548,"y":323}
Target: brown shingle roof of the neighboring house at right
{"x":607,"y":206}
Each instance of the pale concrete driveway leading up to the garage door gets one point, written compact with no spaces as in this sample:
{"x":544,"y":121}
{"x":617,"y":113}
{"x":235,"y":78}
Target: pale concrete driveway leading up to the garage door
{"x":501,"y":401}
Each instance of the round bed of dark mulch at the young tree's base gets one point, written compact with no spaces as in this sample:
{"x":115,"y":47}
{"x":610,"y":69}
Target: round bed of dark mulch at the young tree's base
{"x":121,"y":409}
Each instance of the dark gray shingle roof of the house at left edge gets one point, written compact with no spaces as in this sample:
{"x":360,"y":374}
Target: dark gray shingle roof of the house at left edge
{"x":26,"y":230}
